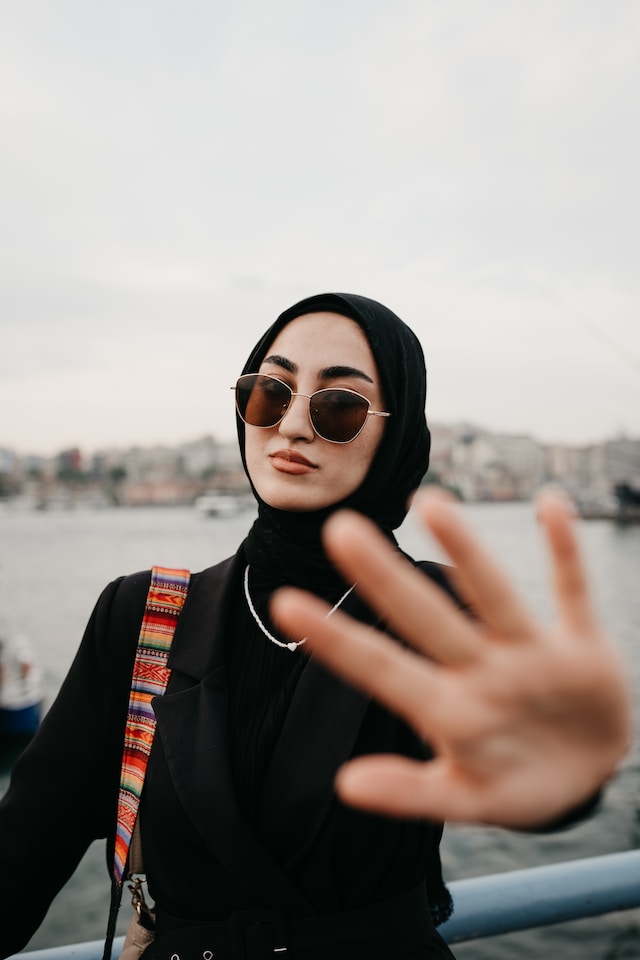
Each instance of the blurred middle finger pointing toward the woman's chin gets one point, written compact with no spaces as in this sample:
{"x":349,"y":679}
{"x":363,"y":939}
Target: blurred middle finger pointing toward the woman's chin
{"x":414,"y":608}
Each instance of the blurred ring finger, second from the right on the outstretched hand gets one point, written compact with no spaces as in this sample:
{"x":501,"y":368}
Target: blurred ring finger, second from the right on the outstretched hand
{"x":480,"y":579}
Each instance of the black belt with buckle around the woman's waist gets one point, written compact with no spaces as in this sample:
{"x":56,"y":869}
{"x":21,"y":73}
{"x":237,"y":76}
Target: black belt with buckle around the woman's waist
{"x":379,"y":932}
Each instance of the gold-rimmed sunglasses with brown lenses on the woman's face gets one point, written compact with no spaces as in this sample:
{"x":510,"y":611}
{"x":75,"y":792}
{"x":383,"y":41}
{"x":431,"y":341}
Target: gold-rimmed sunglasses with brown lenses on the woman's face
{"x":337,"y":415}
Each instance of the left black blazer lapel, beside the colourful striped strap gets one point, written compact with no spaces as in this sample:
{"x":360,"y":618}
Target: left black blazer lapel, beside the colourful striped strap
{"x":196,"y":701}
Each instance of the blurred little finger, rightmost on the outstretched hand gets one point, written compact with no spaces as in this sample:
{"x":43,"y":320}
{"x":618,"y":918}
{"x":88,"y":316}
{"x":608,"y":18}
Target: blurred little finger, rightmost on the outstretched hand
{"x":570,"y":580}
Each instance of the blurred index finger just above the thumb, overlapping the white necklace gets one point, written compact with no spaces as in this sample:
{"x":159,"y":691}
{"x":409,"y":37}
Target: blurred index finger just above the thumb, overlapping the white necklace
{"x":403,"y":681}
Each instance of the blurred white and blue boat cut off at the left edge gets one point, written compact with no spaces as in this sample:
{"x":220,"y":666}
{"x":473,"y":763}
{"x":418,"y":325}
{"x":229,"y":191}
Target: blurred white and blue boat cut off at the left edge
{"x":20,"y":690}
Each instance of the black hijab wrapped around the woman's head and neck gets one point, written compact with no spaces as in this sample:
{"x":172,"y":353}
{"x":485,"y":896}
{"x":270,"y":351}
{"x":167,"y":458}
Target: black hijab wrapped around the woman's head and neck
{"x":289,"y":543}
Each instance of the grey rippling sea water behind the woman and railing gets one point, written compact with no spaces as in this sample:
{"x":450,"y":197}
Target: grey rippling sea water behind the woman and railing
{"x":53,"y":564}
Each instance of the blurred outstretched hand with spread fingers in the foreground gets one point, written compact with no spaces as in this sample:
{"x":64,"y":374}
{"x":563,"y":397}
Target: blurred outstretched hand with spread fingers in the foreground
{"x":526,"y":721}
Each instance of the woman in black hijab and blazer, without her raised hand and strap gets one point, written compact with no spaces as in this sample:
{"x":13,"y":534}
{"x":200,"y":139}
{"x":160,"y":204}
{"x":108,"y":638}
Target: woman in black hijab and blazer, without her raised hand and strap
{"x":247,"y":851}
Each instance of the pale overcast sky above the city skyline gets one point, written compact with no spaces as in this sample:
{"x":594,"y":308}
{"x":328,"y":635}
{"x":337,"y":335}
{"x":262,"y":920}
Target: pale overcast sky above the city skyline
{"x":175,"y":174}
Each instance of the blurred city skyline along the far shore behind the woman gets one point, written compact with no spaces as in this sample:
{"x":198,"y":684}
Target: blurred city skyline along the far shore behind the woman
{"x":475,"y":464}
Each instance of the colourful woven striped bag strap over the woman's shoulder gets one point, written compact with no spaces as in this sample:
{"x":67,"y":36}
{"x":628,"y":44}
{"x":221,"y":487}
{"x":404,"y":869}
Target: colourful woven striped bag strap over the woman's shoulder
{"x":166,"y":597}
